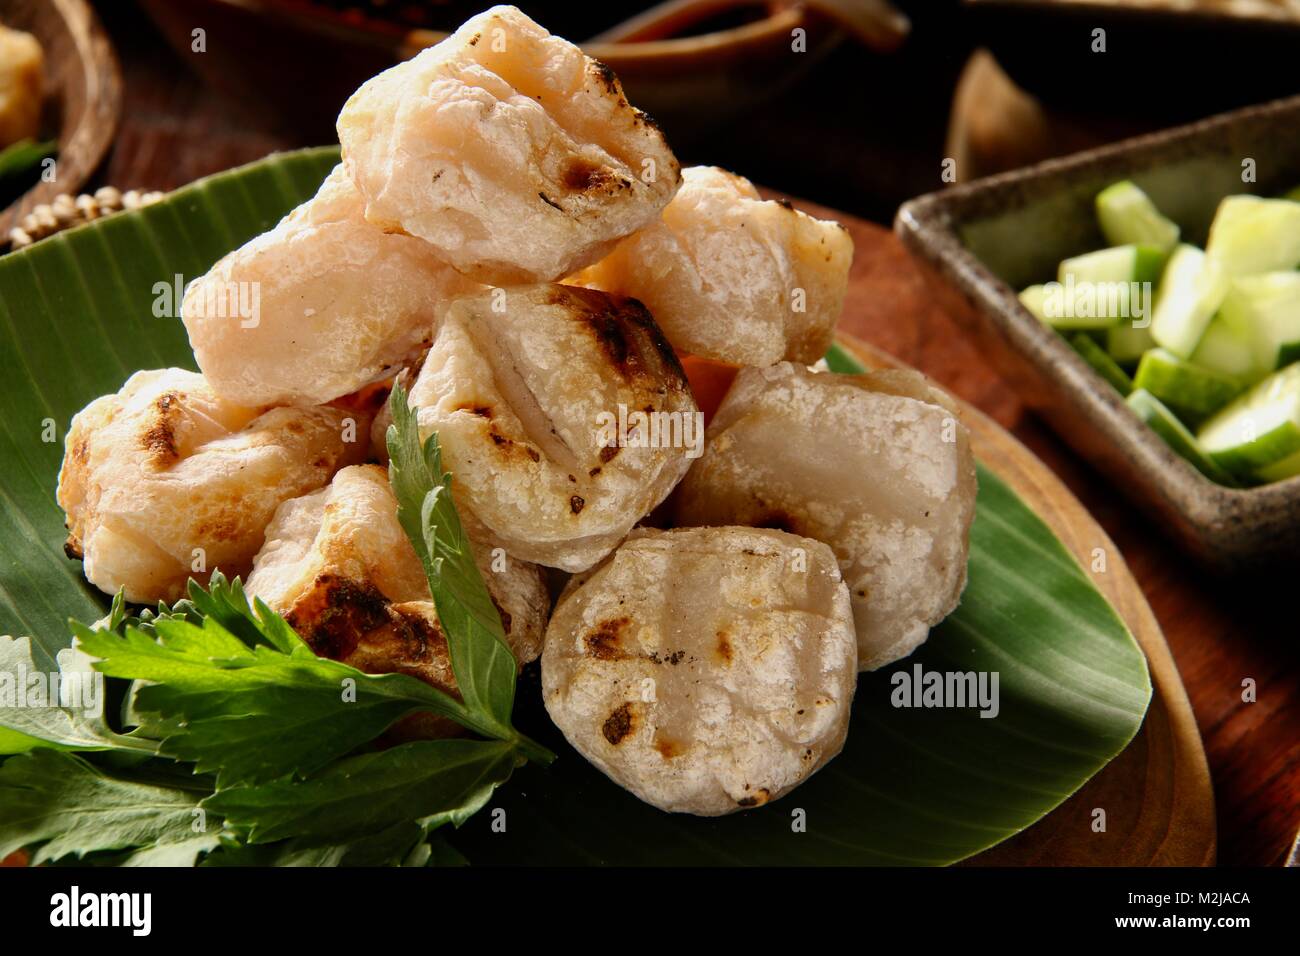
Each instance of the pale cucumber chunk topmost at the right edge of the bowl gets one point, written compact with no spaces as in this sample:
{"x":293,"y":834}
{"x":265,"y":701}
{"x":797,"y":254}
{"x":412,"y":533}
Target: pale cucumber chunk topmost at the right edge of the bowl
{"x":1251,"y":235}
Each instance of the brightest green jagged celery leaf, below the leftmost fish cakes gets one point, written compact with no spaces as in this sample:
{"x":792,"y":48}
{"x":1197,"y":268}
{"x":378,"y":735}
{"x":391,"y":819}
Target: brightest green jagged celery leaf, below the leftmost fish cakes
{"x":254,"y":715}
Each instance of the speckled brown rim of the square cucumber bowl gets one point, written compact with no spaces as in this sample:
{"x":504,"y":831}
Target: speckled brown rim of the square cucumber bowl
{"x":929,"y":227}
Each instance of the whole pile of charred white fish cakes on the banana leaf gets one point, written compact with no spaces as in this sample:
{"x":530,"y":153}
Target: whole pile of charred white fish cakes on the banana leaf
{"x":515,"y":243}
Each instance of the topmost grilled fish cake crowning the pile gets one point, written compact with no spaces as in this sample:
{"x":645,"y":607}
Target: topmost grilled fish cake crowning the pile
{"x":517,"y":157}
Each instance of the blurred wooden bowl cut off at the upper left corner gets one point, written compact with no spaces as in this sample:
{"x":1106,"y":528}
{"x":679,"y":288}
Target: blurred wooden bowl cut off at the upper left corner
{"x":84,"y":92}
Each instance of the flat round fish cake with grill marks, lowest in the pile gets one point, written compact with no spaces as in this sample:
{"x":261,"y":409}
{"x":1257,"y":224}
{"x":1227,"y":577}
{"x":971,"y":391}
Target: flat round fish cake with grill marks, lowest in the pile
{"x":707,"y":671}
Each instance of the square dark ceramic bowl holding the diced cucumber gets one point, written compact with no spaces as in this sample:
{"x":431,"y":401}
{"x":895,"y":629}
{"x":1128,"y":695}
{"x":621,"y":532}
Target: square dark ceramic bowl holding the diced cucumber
{"x":993,"y":237}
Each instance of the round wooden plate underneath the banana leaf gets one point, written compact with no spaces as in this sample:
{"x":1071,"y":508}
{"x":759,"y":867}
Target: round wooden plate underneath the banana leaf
{"x":1158,"y":794}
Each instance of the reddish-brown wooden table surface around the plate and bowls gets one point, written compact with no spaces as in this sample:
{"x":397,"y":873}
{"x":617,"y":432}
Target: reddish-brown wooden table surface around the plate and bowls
{"x":1221,"y":633}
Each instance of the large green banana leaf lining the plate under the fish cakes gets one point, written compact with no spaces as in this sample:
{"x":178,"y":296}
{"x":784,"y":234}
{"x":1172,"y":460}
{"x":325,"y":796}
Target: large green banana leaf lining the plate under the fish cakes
{"x":913,"y":786}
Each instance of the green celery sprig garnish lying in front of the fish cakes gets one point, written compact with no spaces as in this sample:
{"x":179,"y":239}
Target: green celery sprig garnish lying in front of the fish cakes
{"x":250,"y":749}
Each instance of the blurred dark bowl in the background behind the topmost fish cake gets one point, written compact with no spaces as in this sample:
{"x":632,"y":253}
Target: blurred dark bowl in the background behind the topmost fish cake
{"x":688,"y":63}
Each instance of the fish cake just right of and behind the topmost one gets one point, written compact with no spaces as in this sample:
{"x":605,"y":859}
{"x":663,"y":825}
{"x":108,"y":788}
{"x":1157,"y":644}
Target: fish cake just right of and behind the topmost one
{"x":733,"y":278}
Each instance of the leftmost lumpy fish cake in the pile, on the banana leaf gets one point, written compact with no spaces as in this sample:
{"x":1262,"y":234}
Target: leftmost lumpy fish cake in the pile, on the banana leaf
{"x":164,"y":481}
